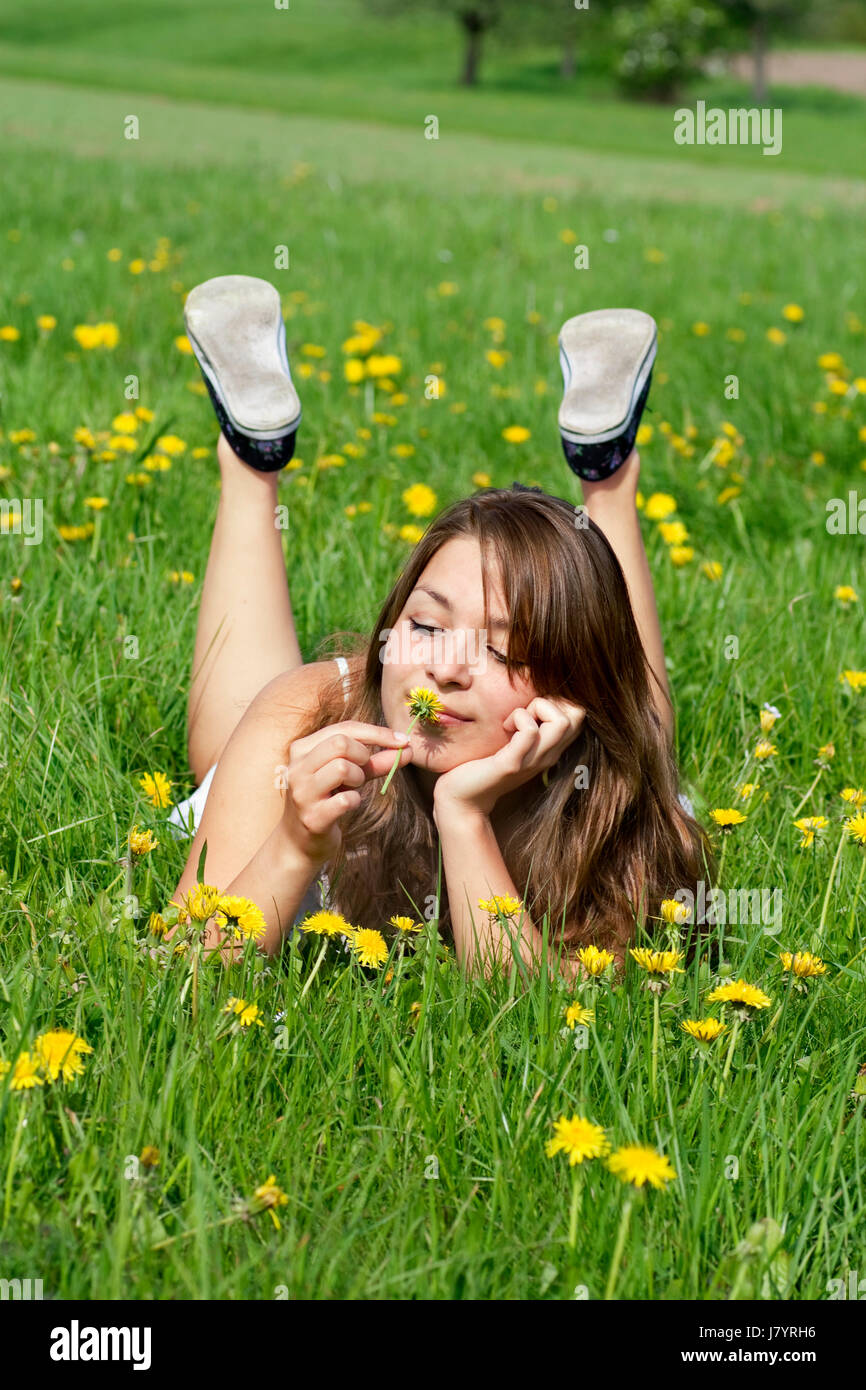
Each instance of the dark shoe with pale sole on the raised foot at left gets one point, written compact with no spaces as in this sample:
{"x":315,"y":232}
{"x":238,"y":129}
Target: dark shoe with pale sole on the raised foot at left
{"x":236,"y":329}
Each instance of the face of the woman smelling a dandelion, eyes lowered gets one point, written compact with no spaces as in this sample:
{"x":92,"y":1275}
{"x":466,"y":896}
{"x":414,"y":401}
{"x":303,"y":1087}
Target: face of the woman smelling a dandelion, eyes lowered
{"x":458,"y":661}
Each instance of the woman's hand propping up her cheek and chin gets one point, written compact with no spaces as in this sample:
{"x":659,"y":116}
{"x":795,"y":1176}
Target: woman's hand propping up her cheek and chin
{"x":541,"y":733}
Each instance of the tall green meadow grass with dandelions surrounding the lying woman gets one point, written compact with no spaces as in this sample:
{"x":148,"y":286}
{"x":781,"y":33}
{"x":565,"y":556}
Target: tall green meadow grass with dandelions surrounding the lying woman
{"x":341,"y":1095}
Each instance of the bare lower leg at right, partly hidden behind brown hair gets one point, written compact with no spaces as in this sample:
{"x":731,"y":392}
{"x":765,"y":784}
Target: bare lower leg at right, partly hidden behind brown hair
{"x":612,"y":507}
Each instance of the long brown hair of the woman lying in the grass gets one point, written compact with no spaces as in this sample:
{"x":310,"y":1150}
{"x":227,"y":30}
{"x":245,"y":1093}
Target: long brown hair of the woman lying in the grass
{"x":600,"y":857}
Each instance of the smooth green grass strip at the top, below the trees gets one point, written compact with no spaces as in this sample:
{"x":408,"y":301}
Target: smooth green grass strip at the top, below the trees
{"x":338,"y":60}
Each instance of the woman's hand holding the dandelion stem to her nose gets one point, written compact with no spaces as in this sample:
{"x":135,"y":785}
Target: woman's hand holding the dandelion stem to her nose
{"x":325,"y":775}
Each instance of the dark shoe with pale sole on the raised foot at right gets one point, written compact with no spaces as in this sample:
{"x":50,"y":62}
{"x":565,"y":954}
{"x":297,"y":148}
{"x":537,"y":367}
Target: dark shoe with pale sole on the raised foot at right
{"x":607,"y":358}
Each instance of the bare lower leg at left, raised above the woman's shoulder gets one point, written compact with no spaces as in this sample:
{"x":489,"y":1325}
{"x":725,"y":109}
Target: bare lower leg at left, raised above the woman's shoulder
{"x":247,"y":630}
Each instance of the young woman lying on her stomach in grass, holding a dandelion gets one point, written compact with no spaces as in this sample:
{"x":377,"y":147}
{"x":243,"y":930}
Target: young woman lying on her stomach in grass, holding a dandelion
{"x":523,"y":635}
